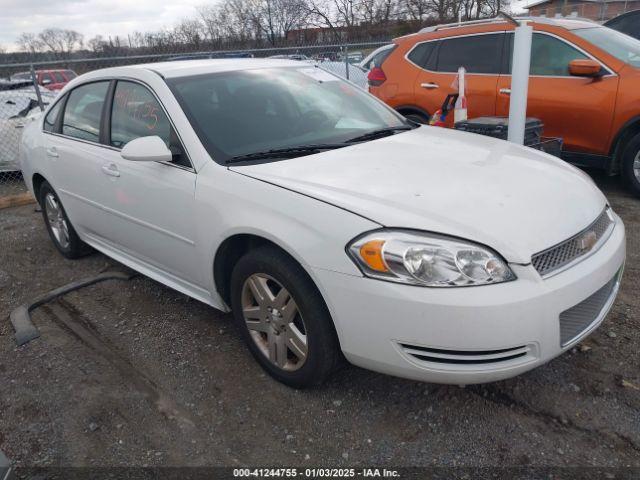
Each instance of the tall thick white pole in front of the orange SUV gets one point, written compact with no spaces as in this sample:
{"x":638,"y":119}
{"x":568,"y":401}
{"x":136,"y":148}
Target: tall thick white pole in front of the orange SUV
{"x":519,"y":82}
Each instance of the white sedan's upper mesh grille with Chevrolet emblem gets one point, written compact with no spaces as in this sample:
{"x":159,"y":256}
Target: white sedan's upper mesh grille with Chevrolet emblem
{"x":555,"y":258}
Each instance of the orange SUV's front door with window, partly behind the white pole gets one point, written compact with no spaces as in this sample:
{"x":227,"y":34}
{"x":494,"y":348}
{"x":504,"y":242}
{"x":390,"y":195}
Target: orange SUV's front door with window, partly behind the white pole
{"x":578,"y":109}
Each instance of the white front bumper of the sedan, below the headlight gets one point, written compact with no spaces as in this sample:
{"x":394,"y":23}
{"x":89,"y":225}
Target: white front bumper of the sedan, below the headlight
{"x":472,"y":334}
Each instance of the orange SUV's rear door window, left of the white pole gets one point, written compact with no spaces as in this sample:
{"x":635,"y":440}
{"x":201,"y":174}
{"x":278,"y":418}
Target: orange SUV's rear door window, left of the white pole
{"x":478,"y":54}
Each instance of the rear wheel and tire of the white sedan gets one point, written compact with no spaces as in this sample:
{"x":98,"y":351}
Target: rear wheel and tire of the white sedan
{"x":60,"y":229}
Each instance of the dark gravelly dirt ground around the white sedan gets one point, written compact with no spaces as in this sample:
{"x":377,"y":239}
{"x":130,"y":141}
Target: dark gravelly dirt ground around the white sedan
{"x":133,"y":373}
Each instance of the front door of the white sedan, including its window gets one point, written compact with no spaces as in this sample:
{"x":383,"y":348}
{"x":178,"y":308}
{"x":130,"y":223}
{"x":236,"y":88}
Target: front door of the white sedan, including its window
{"x":151,"y":203}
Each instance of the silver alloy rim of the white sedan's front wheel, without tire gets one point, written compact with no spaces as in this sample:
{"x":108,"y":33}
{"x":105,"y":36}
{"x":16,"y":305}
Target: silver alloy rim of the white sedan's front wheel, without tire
{"x":274,"y":322}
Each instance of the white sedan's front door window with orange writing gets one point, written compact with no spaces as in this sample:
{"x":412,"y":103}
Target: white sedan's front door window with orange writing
{"x":136,"y":113}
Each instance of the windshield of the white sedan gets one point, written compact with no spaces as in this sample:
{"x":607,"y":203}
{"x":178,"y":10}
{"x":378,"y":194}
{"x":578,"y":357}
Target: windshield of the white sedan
{"x":243,"y":112}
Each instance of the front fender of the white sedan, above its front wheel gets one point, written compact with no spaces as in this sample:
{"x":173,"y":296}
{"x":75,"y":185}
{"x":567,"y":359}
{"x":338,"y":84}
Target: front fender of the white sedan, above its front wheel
{"x":313,"y":232}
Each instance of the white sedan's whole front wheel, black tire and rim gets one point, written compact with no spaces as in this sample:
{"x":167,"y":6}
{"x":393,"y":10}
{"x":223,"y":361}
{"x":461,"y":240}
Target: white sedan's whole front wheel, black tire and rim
{"x":283,"y":321}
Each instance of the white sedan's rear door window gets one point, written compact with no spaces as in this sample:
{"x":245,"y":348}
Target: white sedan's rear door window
{"x":83,"y":111}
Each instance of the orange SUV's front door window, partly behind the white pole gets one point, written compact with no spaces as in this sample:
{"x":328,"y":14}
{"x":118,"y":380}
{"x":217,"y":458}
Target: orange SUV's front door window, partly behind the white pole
{"x":550,"y":56}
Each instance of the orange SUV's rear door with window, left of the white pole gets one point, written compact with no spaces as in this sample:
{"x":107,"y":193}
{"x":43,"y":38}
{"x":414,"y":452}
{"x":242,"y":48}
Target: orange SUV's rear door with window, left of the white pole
{"x":480,"y":54}
